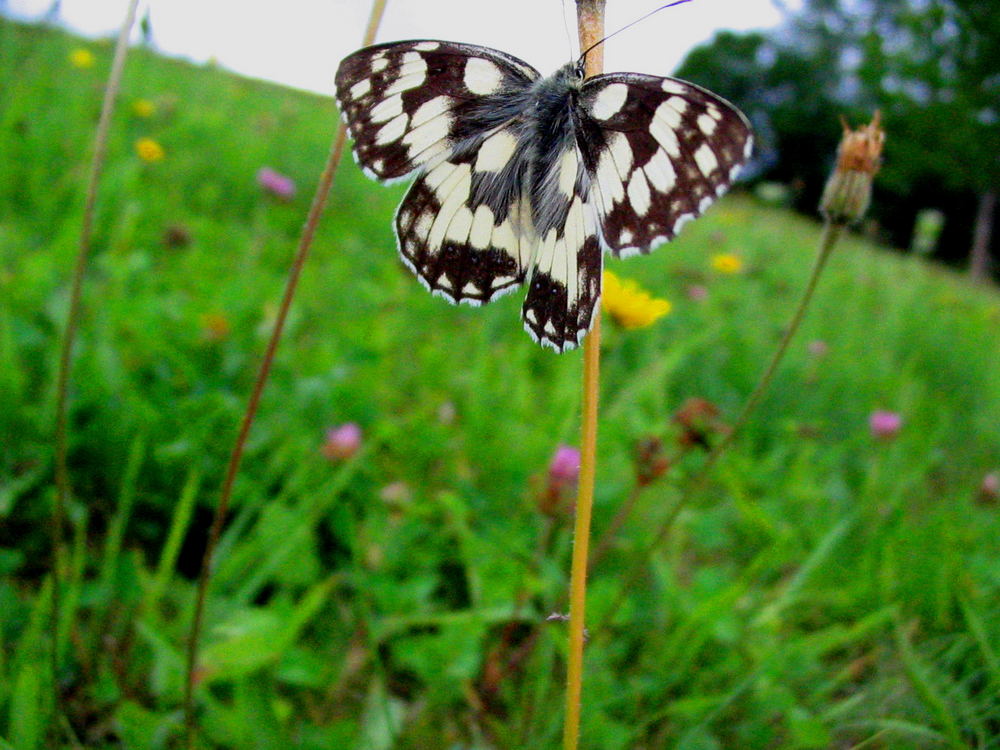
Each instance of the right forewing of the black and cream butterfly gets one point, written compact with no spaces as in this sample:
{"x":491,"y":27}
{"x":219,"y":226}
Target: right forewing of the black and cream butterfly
{"x":660,"y":151}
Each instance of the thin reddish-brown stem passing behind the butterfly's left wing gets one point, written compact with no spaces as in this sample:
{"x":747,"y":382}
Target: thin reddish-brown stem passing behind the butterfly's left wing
{"x":235,"y":458}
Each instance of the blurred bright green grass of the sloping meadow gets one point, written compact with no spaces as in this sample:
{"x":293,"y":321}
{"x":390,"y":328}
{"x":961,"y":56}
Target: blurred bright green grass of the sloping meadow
{"x":829,"y":590}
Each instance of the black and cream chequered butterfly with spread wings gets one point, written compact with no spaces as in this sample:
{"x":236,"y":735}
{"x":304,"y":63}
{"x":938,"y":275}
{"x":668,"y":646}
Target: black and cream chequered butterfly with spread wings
{"x":523,"y":179}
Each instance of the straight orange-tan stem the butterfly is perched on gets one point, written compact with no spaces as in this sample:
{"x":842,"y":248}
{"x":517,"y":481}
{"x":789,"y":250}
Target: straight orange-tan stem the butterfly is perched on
{"x":590,"y":22}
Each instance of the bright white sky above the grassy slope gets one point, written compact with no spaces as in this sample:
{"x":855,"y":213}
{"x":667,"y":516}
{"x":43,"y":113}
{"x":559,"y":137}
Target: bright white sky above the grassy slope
{"x":300,"y":42}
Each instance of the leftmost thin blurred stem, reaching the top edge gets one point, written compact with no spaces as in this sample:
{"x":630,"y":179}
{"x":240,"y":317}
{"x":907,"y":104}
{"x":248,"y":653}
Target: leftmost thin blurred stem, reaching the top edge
{"x":63,"y":487}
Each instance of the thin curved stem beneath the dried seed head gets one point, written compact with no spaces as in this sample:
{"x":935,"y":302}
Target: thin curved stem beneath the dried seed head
{"x":828,"y":240}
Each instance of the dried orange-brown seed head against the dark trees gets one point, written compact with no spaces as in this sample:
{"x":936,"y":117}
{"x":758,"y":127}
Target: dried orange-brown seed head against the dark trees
{"x":849,"y":189}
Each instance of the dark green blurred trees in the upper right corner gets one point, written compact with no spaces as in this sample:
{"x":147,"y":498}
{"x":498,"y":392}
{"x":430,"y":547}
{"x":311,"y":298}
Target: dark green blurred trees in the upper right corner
{"x":930,"y":66}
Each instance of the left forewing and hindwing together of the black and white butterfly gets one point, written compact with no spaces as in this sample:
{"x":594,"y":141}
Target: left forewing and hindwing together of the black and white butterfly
{"x":445,"y":110}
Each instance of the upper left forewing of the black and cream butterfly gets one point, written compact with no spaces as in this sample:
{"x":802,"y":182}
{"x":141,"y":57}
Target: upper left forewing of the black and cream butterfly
{"x":410,"y":104}
